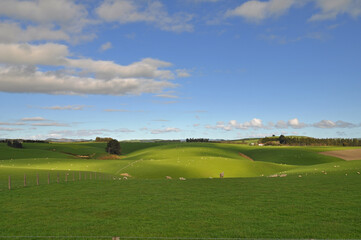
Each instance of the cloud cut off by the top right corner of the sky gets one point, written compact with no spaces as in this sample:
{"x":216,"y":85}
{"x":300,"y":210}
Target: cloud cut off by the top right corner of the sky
{"x":330,"y":9}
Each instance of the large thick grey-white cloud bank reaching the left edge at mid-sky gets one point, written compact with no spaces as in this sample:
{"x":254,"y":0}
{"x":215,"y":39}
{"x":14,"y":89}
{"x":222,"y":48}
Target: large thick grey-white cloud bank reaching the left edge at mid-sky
{"x":77,"y":76}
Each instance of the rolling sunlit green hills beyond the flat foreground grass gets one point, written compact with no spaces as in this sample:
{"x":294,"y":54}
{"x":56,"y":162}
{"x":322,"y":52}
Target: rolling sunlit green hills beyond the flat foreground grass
{"x":157,"y":160}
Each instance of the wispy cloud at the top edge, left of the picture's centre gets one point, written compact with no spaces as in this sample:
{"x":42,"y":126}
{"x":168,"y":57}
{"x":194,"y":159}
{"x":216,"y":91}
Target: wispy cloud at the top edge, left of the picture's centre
{"x":126,"y":11}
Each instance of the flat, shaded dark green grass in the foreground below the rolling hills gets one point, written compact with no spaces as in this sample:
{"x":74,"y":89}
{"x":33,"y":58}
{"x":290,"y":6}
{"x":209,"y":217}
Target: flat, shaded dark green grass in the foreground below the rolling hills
{"x":317,"y":206}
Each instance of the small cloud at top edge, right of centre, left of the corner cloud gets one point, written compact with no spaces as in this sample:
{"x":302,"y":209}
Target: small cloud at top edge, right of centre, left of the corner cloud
{"x":259,"y":10}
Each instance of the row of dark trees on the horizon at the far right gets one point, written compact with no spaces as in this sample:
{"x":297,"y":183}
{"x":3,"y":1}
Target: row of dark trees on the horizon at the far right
{"x":308,"y":141}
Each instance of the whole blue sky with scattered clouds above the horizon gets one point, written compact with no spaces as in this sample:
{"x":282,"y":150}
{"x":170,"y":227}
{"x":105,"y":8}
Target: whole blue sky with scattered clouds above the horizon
{"x":159,"y":69}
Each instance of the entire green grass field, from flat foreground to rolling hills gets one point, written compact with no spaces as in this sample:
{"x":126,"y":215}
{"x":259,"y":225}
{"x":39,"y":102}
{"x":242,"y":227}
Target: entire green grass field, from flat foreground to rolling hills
{"x":319,"y":198}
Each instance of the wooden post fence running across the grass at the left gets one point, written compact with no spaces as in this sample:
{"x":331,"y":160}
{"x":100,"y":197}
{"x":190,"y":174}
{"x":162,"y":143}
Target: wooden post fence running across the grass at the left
{"x":17,"y":181}
